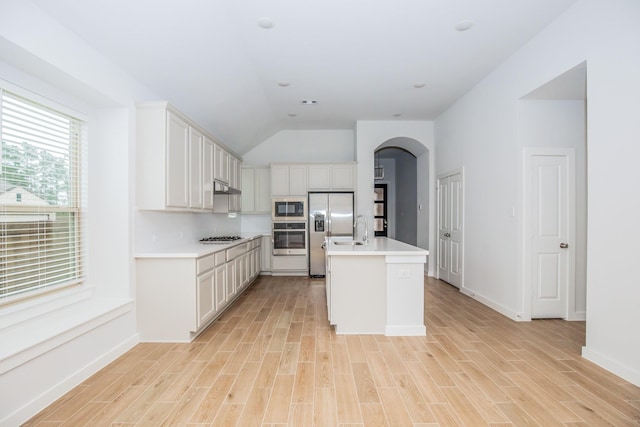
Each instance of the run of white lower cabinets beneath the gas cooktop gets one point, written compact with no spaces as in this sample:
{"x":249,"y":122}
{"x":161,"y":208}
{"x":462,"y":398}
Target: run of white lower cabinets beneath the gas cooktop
{"x":177,"y":298}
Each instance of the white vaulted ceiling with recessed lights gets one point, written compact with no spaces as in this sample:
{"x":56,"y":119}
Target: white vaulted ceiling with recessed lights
{"x":359,"y":59}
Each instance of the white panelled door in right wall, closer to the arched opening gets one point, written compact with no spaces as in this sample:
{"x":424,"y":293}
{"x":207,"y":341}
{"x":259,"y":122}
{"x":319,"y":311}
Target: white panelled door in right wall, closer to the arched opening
{"x":450,"y":224}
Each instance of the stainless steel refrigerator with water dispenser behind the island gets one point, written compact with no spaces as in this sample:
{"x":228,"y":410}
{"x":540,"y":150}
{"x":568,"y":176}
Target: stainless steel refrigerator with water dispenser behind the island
{"x":330,"y":214}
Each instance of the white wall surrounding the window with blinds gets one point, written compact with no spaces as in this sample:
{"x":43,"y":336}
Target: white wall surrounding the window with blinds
{"x":52,"y":344}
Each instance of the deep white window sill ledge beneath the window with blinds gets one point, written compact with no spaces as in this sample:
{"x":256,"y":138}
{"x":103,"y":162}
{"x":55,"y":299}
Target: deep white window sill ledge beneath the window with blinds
{"x":25,"y":337}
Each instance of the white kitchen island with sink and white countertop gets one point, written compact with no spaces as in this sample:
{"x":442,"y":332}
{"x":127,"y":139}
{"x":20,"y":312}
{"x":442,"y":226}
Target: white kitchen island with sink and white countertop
{"x":375,"y":288}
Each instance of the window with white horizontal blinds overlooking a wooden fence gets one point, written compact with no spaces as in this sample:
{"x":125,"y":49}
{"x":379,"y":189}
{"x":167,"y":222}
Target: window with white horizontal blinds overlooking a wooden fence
{"x":41,"y":233}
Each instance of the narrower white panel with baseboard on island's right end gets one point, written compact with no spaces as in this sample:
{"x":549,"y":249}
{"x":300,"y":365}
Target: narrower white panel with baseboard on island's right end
{"x":405,"y":296}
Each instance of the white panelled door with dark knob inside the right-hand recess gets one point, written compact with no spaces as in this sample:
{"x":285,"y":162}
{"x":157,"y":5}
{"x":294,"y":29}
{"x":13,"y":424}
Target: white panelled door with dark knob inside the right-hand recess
{"x":552,"y":197}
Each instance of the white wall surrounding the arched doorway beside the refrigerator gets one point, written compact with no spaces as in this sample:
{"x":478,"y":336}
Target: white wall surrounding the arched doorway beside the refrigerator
{"x":371,"y":134}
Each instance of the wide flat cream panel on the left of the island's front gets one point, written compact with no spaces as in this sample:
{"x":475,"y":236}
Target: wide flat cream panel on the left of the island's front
{"x":358,"y":295}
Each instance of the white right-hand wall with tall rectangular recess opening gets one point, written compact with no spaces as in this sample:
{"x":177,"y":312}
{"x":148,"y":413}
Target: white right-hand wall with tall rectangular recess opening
{"x":480,"y":132}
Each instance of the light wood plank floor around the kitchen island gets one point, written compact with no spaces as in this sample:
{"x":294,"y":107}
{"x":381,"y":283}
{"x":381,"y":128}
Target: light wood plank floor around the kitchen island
{"x":273,"y":360}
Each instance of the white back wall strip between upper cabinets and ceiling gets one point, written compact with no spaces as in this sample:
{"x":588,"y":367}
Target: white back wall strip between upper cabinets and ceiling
{"x":303,"y":146}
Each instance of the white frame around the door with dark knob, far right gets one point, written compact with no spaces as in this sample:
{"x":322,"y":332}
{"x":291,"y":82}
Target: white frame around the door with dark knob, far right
{"x":525,"y":291}
